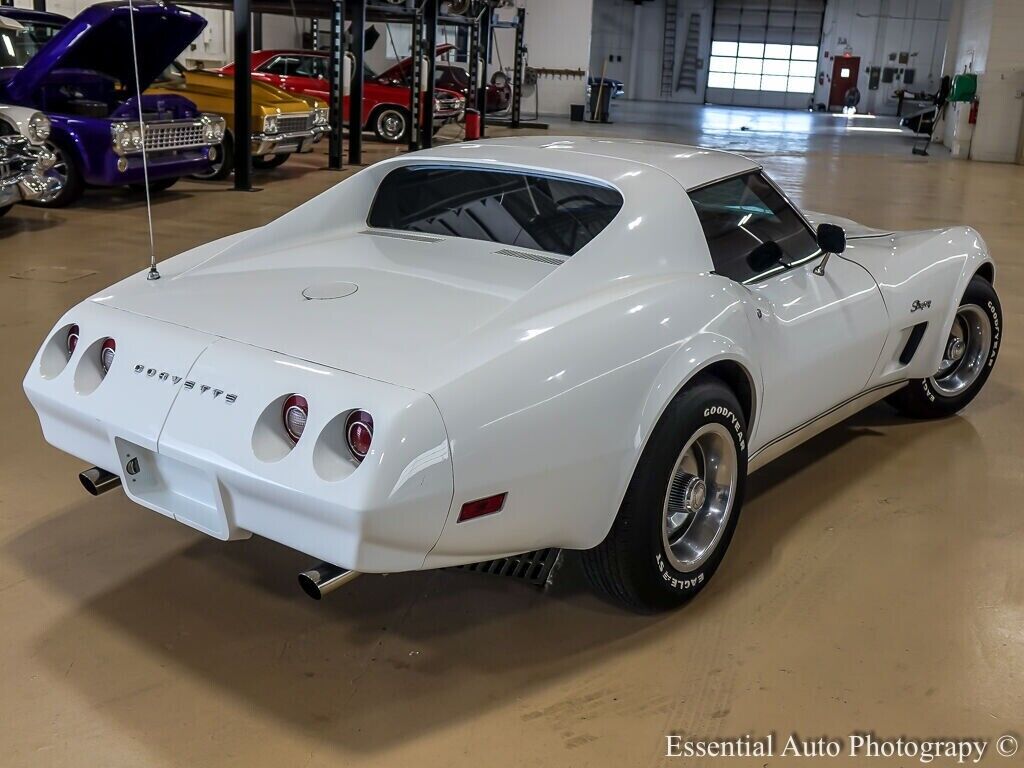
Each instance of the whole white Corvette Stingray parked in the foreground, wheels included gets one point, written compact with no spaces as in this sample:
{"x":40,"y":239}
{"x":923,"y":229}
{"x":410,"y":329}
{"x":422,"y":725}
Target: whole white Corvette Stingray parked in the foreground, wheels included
{"x":466,"y":354}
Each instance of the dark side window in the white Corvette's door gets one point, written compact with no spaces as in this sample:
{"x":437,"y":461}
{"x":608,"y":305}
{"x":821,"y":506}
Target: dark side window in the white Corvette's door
{"x":751,"y":229}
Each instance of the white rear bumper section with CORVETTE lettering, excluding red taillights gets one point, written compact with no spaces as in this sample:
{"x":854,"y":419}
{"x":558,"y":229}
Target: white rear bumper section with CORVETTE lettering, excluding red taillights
{"x":224,"y":465}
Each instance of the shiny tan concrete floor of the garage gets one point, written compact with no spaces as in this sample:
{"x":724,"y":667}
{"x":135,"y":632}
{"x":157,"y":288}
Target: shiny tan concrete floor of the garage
{"x":876,"y":581}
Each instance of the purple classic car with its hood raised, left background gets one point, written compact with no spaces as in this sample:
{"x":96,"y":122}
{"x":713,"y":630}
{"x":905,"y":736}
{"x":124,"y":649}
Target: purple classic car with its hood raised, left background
{"x":84,"y":79}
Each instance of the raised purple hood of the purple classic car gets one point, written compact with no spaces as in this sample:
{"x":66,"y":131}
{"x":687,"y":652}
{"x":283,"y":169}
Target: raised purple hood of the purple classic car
{"x":99,"y":39}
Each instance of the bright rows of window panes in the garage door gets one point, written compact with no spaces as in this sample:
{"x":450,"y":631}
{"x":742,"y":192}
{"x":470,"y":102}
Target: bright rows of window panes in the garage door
{"x":763,"y":67}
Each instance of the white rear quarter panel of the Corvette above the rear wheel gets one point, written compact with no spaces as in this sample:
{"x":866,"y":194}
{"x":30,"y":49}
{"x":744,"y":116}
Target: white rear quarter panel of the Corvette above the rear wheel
{"x":560,"y":420}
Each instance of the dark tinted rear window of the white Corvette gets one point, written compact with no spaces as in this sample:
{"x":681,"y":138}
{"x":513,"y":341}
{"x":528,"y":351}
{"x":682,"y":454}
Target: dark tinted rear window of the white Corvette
{"x":545,"y":214}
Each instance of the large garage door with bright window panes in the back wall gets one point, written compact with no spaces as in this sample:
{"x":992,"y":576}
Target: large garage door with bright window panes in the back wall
{"x":765,"y":53}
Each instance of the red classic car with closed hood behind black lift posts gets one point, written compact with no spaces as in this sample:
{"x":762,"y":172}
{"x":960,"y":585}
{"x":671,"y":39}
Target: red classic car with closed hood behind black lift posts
{"x":386,"y":103}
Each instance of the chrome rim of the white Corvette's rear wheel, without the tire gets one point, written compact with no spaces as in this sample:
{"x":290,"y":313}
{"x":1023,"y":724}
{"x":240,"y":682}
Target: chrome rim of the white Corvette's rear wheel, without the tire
{"x":700,"y":497}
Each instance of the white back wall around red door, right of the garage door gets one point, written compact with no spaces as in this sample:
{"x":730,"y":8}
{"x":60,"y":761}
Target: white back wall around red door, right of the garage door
{"x":875,"y":30}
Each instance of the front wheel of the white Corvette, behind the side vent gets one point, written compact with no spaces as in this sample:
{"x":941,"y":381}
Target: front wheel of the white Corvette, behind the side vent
{"x":968,"y":358}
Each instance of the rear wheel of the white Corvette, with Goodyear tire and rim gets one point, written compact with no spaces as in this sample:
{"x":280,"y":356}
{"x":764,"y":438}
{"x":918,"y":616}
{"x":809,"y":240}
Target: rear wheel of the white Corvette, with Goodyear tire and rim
{"x":682,"y":505}
